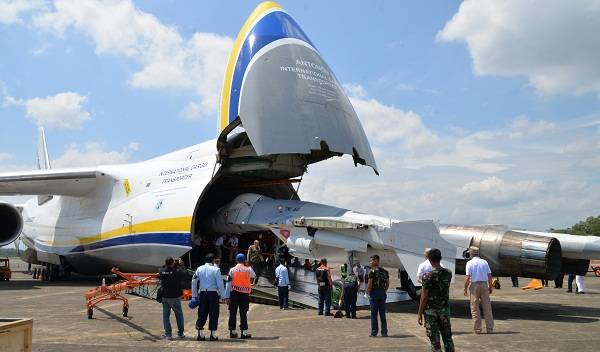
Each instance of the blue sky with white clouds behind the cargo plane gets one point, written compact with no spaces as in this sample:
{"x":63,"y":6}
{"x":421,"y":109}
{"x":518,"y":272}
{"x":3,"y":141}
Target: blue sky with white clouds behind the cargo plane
{"x":476,"y":113}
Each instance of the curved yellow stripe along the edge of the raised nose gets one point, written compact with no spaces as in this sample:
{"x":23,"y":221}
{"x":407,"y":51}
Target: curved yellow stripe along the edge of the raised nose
{"x":225,"y":94}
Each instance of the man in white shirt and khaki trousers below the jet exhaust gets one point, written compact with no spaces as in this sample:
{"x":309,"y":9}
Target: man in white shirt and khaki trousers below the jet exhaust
{"x":479,"y":283}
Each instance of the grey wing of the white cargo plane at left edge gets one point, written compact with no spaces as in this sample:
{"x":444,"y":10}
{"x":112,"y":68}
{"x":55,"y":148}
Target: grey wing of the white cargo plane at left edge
{"x":65,"y":182}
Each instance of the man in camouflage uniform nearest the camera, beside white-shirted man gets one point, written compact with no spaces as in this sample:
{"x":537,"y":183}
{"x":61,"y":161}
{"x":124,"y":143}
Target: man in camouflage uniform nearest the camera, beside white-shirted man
{"x":435,"y":304}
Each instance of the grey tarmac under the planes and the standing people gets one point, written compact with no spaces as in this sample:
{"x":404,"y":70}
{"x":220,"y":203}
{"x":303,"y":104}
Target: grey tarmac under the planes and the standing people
{"x":544,"y":320}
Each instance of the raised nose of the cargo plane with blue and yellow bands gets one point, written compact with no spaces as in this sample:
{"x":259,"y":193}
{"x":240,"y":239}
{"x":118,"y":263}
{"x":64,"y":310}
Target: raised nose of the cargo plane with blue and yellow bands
{"x":279,"y":88}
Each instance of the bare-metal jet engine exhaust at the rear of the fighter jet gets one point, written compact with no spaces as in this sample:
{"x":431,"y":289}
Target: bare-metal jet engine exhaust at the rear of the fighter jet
{"x":509,"y":252}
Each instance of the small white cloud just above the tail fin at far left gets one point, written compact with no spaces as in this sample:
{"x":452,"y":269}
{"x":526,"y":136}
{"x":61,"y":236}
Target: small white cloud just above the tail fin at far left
{"x":63,"y":110}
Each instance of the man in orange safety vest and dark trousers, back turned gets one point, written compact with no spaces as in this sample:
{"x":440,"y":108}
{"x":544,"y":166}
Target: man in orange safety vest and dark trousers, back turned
{"x":237,"y":295}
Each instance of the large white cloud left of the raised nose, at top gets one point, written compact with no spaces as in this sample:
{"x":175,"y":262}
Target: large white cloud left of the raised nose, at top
{"x":168,"y":60}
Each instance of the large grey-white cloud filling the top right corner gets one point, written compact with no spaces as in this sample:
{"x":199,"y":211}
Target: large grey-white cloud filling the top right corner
{"x":558,"y":51}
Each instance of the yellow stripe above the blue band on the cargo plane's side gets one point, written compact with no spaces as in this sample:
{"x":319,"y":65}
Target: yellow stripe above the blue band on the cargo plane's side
{"x":181,"y":224}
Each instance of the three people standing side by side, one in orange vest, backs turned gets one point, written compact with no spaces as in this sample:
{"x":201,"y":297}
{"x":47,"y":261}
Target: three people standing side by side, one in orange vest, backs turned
{"x":207,"y":290}
